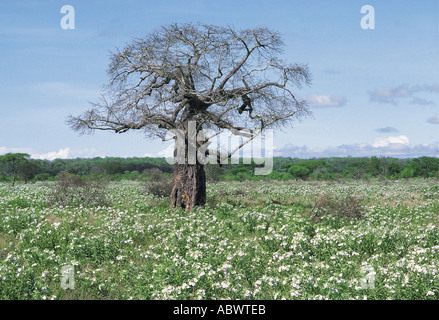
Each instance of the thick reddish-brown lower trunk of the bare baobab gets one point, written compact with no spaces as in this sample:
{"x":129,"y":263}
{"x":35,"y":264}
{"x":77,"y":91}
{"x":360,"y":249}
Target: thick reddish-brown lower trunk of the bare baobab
{"x":189,"y":188}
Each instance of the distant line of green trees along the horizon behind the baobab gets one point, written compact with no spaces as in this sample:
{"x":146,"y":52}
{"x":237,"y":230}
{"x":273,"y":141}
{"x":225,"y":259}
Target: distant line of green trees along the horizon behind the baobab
{"x":19,"y":166}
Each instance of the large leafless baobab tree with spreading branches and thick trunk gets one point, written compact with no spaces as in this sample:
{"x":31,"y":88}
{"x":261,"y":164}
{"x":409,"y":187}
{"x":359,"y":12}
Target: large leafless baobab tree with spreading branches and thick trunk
{"x":212,"y":77}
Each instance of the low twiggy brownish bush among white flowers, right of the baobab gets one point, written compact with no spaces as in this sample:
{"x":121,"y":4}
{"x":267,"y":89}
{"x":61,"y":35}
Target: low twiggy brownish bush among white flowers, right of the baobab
{"x":349,"y":207}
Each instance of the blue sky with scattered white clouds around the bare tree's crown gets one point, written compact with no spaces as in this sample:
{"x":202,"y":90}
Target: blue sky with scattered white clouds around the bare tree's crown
{"x":373,"y":93}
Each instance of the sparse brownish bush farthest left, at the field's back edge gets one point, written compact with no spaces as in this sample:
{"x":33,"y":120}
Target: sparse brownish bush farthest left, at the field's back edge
{"x":72,"y":190}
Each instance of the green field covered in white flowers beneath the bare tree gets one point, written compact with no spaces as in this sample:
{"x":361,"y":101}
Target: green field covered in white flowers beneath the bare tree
{"x":309,"y":240}
